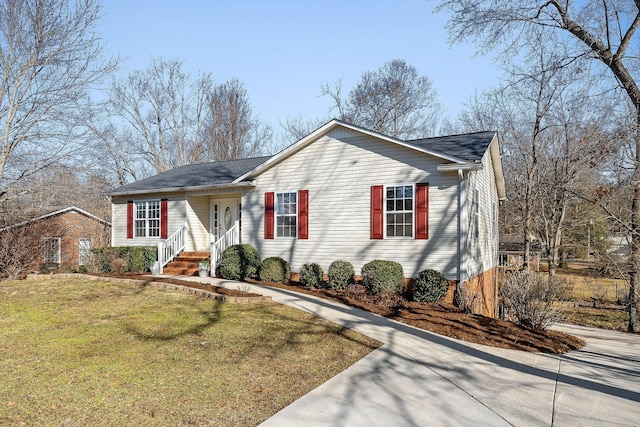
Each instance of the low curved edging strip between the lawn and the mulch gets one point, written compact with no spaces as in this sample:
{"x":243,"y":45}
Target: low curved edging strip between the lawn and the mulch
{"x":159,"y":285}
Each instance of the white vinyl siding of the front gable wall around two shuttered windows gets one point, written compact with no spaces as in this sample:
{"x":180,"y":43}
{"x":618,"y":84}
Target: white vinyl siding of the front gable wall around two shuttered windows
{"x":338,"y":170}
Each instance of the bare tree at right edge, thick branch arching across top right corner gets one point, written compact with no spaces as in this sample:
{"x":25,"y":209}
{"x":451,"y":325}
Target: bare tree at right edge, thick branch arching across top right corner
{"x":602,"y":31}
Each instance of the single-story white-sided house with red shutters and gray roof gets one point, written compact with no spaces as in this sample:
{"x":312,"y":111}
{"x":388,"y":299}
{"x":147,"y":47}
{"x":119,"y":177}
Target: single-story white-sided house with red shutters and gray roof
{"x":341,"y":192}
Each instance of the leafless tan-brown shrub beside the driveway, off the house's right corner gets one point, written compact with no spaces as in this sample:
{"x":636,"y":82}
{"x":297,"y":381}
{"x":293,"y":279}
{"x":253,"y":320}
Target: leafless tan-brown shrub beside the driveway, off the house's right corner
{"x":531,"y":298}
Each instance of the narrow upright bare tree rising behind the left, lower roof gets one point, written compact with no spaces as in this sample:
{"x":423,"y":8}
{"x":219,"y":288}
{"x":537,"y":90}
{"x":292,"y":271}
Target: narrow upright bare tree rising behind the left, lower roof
{"x":232,"y":131}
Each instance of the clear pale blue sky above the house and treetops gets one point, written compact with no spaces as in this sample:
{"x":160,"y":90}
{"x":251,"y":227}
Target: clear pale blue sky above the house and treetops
{"x":283,"y":51}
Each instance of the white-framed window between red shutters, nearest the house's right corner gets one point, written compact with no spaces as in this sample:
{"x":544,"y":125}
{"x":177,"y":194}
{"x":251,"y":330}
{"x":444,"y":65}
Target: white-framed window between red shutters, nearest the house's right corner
{"x":399,"y":204}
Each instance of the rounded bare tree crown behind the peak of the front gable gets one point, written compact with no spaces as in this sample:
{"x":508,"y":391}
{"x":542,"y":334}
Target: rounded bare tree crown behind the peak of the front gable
{"x":394,"y":100}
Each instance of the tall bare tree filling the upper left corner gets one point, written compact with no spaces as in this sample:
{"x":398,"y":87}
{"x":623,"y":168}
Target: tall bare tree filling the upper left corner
{"x":50,"y":57}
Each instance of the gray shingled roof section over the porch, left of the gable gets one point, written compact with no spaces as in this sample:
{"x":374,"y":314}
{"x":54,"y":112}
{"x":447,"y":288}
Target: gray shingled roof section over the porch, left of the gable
{"x":200,"y":174}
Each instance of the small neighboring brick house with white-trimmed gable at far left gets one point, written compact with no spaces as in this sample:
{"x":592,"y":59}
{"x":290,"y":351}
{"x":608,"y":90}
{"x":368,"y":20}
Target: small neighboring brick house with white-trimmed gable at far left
{"x":66,"y":237}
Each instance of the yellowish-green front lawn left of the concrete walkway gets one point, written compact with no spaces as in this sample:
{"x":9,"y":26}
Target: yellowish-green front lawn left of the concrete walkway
{"x":77,"y":352}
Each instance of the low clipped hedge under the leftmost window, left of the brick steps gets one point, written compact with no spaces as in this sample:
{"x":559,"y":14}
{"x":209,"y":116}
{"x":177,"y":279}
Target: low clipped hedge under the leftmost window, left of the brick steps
{"x":131,"y":259}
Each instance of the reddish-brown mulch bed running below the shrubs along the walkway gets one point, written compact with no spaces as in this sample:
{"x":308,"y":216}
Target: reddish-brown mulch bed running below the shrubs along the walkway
{"x":442,"y":319}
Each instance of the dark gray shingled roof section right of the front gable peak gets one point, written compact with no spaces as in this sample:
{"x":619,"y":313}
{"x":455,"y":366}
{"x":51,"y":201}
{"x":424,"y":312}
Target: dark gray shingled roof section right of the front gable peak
{"x":469,"y":147}
